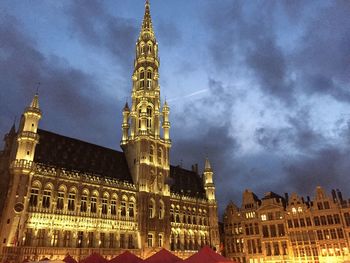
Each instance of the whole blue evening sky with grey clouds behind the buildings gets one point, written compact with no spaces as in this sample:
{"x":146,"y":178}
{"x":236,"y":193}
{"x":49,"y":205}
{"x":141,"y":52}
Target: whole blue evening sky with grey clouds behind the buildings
{"x":261,"y":87}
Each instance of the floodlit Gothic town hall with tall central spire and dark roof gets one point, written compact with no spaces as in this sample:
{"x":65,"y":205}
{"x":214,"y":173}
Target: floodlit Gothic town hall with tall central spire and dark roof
{"x":60,"y":195}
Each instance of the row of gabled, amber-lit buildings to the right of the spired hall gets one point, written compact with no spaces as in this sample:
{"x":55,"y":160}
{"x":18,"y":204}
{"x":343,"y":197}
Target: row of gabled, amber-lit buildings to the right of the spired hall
{"x":288,"y":229}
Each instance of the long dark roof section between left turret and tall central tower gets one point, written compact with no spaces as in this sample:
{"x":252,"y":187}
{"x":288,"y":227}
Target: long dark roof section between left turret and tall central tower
{"x":72,"y":154}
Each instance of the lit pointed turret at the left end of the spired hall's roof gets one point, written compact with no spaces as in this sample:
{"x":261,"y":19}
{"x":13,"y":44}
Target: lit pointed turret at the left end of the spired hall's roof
{"x":27,"y":134}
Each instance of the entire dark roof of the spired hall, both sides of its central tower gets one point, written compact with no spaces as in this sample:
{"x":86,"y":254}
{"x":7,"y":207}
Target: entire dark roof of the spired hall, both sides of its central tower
{"x":73,"y":154}
